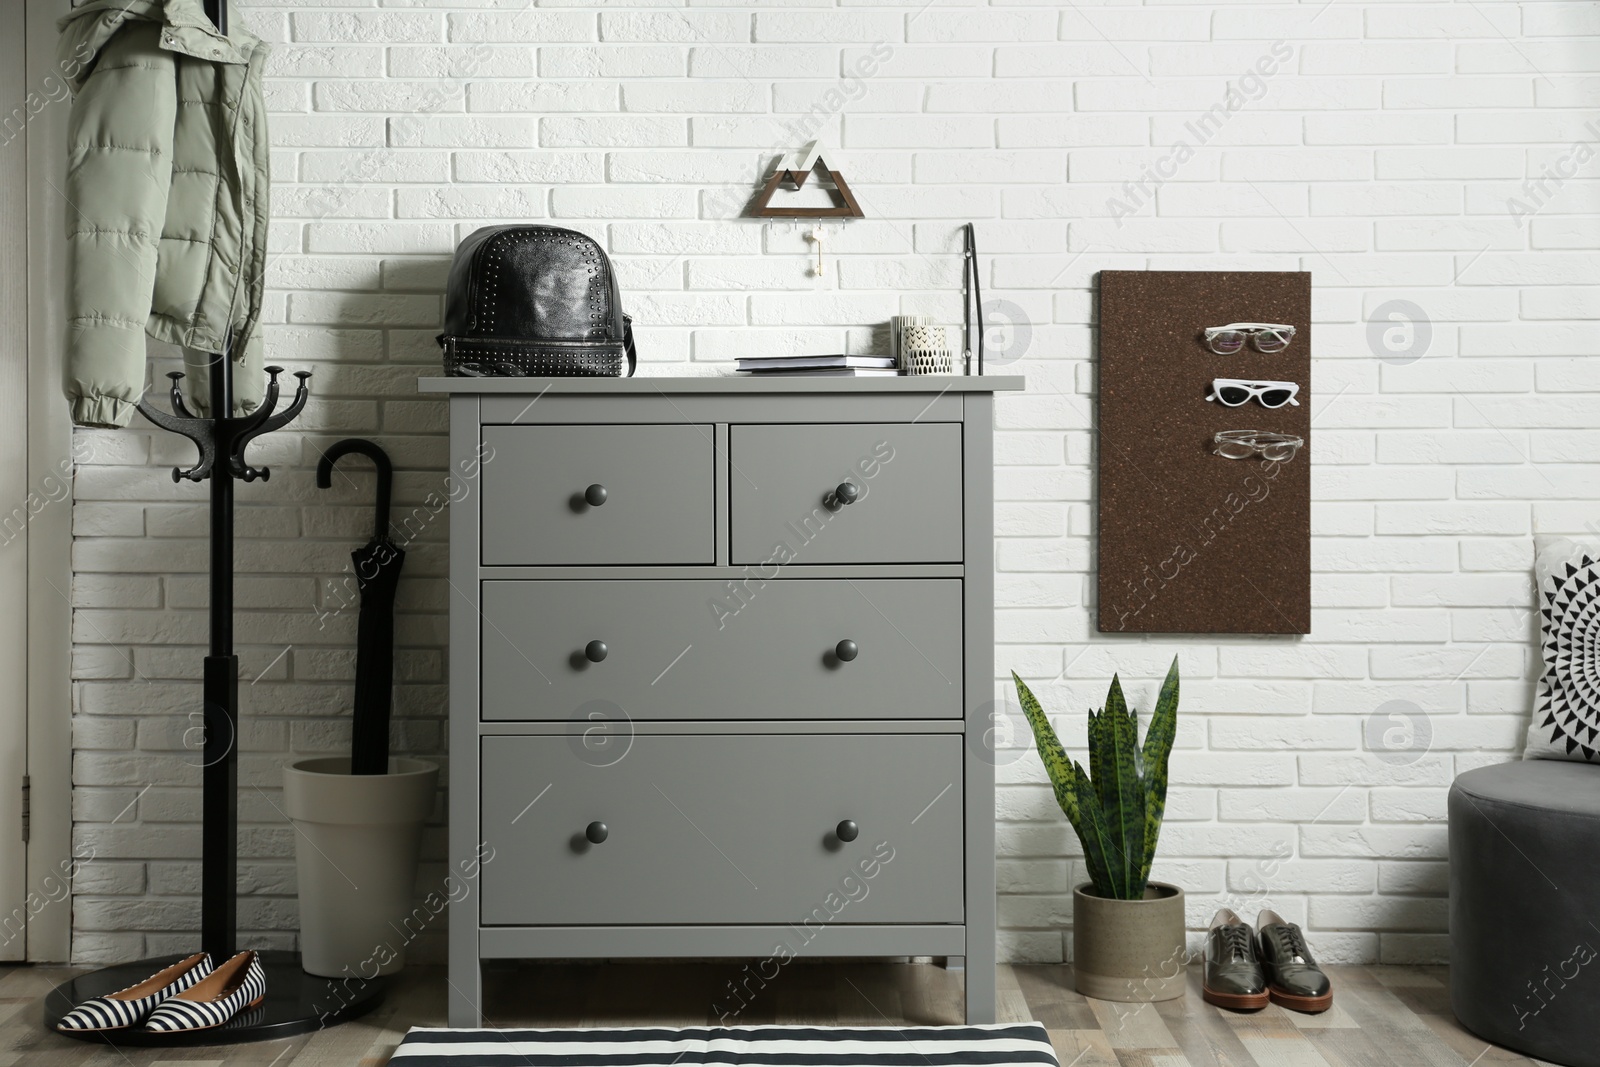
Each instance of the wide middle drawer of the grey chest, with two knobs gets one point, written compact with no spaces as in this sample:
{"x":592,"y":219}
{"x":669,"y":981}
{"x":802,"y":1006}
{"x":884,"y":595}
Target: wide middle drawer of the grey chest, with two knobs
{"x":708,"y":650}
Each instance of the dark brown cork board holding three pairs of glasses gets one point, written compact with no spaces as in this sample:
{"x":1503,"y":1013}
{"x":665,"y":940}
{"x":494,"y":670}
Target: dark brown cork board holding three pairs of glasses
{"x":1193,"y":543}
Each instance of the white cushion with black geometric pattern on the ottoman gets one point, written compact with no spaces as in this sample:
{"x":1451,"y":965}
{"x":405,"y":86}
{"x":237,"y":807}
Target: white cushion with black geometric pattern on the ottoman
{"x":1567,"y":705}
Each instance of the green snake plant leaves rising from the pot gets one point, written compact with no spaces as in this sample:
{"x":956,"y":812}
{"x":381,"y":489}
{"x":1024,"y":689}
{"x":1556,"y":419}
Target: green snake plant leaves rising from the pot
{"x":1118,"y":805}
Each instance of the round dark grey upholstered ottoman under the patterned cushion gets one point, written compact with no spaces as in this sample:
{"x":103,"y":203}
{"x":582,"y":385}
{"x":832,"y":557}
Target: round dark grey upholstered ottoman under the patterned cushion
{"x":1526,"y":908}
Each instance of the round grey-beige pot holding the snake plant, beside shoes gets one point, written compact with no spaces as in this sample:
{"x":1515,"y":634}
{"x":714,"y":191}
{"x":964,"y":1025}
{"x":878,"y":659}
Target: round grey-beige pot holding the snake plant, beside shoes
{"x":1129,"y":951}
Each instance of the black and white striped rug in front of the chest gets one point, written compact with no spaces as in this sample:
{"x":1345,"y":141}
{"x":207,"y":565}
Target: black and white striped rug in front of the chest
{"x":1001,"y":1045}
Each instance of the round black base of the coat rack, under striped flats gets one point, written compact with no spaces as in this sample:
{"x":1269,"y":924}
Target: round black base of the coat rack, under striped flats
{"x":297,"y":1004}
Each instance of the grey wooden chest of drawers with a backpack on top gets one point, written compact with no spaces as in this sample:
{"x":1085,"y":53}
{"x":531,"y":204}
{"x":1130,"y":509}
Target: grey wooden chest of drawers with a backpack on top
{"x":721,"y":674}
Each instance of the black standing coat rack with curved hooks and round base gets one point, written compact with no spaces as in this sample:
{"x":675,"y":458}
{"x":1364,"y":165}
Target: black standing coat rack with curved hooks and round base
{"x":295,"y":1002}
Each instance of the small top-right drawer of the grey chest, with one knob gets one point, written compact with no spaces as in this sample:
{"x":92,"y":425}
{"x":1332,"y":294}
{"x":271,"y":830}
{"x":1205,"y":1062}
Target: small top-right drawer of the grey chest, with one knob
{"x":786,"y":503}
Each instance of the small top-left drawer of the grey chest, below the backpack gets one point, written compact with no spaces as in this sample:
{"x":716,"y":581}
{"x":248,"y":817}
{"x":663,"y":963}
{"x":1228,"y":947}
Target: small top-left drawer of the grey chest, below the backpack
{"x":658,"y":495}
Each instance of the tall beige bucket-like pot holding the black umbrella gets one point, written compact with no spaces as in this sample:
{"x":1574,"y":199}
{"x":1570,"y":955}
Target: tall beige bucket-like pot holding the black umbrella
{"x":356,"y":849}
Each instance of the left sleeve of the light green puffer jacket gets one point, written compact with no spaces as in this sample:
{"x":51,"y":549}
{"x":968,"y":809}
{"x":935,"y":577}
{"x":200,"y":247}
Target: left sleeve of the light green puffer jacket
{"x":119,"y":175}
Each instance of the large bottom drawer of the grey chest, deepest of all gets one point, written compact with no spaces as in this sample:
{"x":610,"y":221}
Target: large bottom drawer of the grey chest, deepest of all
{"x":726,"y":829}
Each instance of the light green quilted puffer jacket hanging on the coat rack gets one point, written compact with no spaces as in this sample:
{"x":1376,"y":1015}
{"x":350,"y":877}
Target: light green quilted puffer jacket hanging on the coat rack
{"x":167,"y":201}
